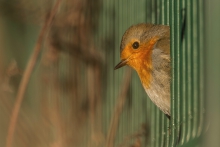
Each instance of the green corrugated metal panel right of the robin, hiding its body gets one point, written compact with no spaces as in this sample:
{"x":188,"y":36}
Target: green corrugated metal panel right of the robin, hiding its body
{"x":187,"y":90}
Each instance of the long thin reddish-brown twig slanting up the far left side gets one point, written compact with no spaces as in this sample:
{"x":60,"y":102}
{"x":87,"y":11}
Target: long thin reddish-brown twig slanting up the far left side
{"x":27,"y":73}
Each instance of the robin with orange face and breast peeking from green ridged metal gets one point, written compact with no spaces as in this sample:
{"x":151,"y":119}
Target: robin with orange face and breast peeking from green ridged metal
{"x":146,"y":48}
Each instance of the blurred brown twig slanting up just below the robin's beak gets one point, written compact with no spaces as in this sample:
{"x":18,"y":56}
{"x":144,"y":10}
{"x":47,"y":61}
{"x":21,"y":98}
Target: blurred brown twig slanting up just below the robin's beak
{"x":118,"y":109}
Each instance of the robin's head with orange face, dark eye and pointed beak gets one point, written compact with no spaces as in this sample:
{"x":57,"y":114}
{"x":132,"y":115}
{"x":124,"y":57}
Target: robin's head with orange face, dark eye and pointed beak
{"x":137,"y":44}
